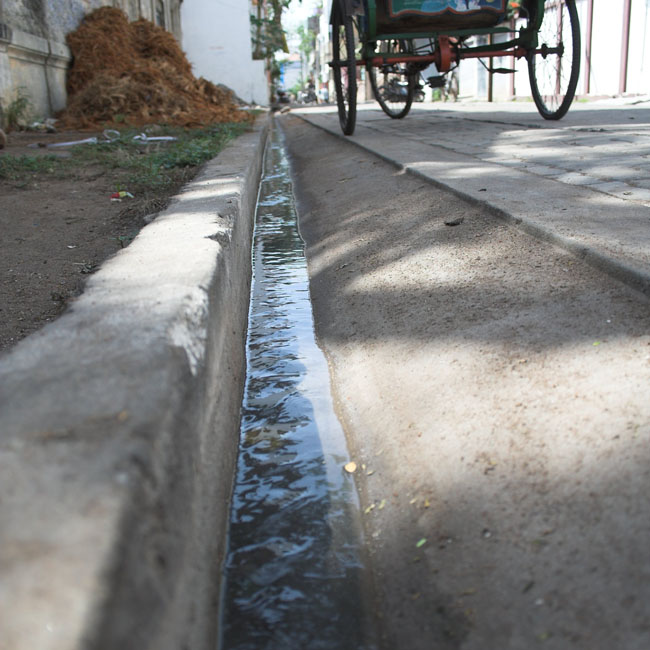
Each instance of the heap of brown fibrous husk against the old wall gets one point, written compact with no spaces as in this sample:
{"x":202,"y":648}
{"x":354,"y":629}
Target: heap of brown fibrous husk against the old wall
{"x":136,"y":73}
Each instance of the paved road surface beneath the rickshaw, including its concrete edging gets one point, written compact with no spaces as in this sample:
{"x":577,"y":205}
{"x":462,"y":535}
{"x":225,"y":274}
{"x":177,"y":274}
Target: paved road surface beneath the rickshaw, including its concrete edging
{"x":582,"y":183}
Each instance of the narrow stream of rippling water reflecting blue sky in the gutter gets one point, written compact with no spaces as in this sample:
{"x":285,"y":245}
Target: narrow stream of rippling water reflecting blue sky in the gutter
{"x":294,"y":575}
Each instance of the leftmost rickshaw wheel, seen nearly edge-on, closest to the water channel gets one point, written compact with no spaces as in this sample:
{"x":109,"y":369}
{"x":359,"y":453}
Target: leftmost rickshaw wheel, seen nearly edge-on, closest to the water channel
{"x":345,"y":68}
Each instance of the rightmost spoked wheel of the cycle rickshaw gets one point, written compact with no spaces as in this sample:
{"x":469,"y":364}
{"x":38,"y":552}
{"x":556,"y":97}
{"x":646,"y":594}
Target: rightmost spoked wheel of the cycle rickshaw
{"x":554,"y":66}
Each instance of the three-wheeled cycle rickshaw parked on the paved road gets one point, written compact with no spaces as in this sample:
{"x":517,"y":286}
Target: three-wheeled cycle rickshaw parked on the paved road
{"x":397,"y":39}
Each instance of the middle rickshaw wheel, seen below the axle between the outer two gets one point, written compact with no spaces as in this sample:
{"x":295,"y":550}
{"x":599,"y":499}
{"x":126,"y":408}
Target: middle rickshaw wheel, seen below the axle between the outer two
{"x":391,"y":83}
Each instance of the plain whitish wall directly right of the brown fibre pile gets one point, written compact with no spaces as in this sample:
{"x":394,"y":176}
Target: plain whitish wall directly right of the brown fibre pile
{"x":217,"y":41}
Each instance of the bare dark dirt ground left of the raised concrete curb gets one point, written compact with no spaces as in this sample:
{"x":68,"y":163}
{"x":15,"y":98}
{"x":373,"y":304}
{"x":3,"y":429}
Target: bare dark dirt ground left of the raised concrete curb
{"x":55,"y":231}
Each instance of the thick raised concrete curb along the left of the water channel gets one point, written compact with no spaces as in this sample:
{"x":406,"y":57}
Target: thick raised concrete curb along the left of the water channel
{"x":119,"y":430}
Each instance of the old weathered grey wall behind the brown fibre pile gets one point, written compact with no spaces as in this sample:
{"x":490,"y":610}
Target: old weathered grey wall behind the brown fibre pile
{"x":33,"y":54}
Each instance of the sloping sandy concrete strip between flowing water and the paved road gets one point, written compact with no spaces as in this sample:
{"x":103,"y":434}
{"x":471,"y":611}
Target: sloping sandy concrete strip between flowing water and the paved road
{"x":494,"y":389}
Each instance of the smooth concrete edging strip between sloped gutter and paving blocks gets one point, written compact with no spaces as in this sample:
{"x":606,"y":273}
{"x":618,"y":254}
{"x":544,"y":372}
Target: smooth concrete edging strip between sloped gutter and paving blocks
{"x":540,"y":214}
